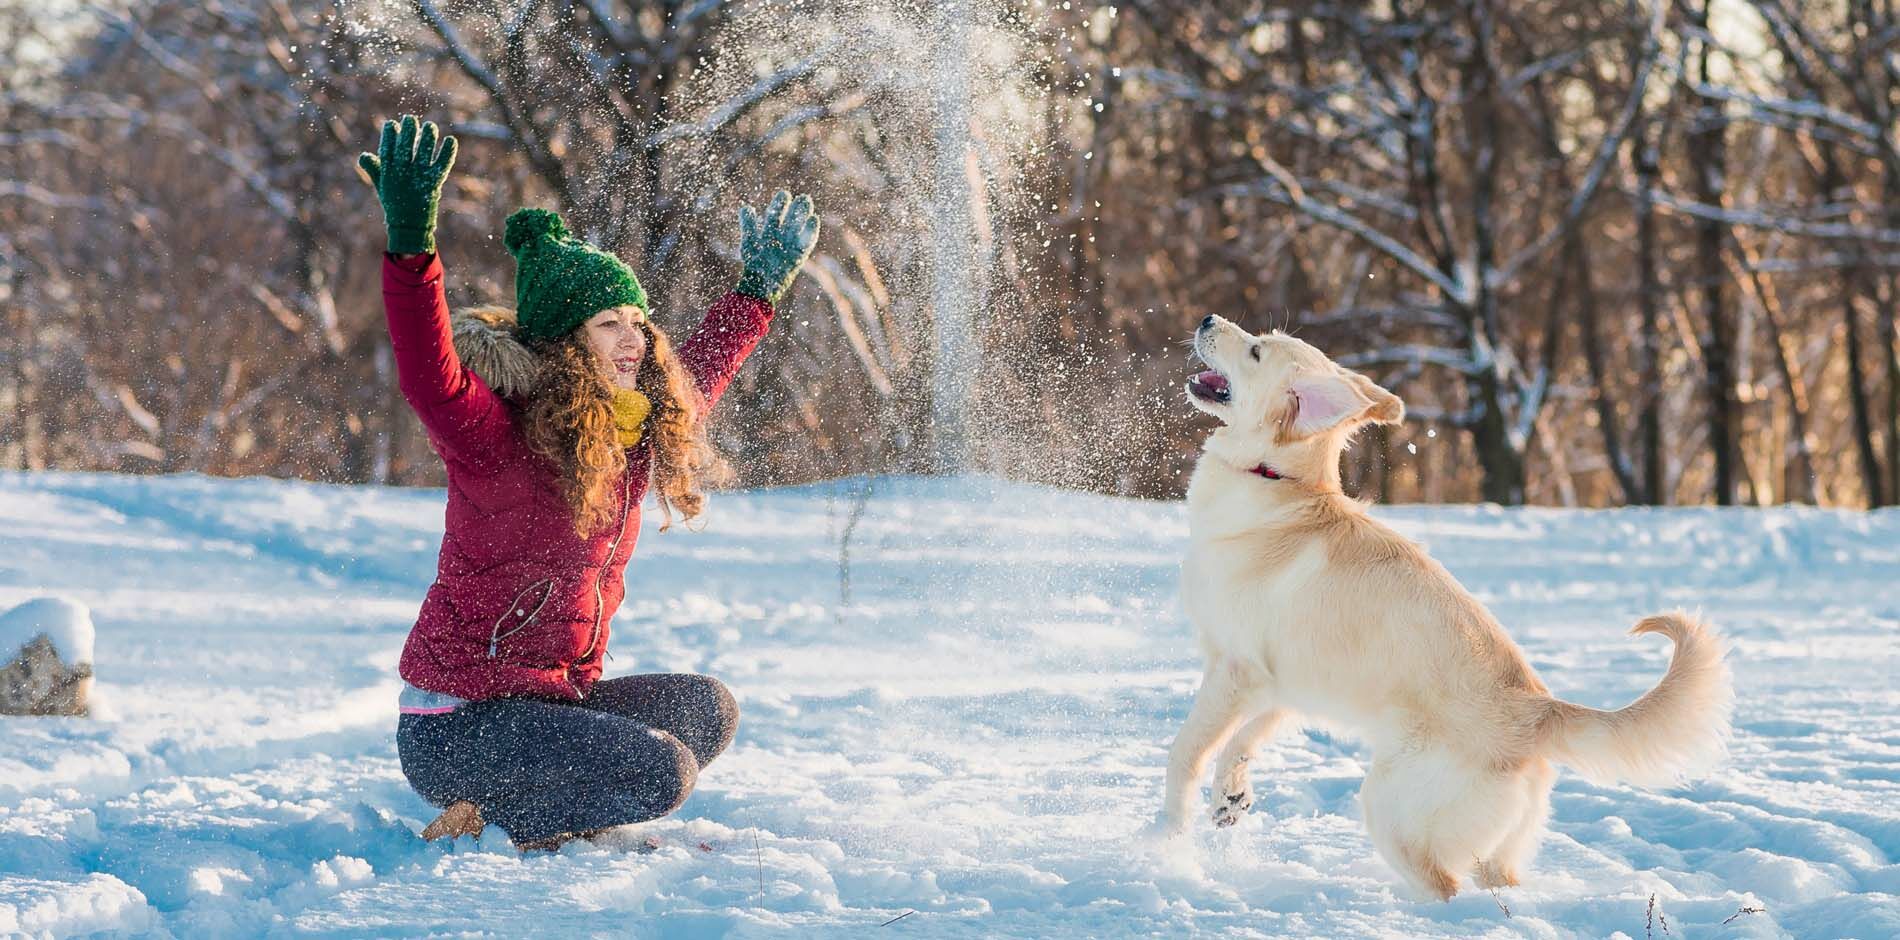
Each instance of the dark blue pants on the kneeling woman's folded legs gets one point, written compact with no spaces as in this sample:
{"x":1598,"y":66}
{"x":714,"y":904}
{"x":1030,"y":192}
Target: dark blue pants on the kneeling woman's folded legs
{"x":628,"y":753}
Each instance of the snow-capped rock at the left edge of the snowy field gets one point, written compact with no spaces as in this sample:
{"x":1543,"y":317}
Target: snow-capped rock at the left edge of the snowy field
{"x":47,"y":658}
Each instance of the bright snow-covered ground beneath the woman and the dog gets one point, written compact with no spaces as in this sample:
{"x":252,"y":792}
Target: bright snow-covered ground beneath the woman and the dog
{"x":976,"y":738}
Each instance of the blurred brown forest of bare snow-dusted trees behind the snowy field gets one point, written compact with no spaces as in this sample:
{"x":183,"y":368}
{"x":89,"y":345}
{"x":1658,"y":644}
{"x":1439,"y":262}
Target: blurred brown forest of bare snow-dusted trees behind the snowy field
{"x":1618,"y":252}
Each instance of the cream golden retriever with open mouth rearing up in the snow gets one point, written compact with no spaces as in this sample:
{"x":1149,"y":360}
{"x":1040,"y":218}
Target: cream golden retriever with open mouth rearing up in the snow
{"x":1308,"y":609}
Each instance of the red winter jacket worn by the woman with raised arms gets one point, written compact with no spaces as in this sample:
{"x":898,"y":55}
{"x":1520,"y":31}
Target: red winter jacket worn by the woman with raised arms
{"x":522,"y":605}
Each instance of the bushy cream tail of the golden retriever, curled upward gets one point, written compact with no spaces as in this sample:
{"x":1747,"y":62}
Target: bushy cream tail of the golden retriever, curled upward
{"x":1677,"y":728}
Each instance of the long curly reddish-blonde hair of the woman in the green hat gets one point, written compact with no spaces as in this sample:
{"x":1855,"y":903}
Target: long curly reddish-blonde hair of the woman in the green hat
{"x":569,"y":419}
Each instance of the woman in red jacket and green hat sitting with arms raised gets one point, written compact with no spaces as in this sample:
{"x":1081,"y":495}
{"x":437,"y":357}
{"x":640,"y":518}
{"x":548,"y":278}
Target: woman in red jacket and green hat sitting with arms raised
{"x":577,"y":407}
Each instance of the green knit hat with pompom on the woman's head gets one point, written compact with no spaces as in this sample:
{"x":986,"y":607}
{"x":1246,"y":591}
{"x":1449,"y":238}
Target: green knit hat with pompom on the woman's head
{"x":561,"y":280}
